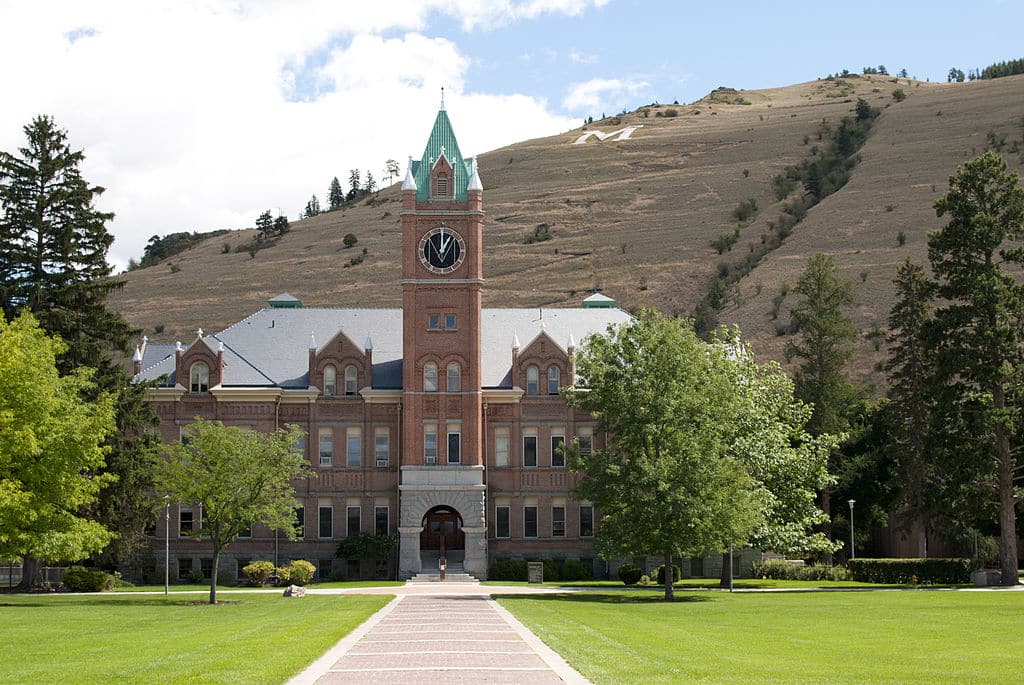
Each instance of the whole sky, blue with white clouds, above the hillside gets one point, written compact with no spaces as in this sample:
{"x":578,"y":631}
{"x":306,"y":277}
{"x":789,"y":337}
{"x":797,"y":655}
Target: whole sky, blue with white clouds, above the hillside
{"x":200,"y":116}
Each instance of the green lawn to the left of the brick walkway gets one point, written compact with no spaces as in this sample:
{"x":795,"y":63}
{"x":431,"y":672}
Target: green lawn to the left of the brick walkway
{"x":107,"y":639}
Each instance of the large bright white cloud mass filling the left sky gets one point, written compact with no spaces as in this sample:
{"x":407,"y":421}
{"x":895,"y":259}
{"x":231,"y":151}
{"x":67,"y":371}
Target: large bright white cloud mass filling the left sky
{"x":200,"y":116}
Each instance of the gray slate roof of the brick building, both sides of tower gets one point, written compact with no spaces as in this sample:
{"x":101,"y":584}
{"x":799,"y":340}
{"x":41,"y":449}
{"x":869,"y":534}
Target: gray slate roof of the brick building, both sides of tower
{"x":271,"y":348}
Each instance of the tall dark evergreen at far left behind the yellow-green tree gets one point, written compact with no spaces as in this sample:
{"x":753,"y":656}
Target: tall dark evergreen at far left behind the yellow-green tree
{"x":54,"y":246}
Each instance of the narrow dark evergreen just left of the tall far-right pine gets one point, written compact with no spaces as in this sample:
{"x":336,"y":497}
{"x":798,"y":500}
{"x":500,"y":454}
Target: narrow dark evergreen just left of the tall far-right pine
{"x":910,"y":369}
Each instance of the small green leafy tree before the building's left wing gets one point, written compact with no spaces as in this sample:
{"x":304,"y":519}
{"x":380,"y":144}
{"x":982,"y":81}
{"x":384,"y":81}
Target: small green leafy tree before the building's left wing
{"x":238,"y":479}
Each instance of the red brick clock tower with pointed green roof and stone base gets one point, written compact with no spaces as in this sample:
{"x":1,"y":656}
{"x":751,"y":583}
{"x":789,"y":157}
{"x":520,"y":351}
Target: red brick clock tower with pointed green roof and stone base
{"x":442,"y":491}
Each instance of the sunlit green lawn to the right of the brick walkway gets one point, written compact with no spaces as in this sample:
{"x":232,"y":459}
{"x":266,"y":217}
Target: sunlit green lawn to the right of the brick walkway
{"x":923,"y":636}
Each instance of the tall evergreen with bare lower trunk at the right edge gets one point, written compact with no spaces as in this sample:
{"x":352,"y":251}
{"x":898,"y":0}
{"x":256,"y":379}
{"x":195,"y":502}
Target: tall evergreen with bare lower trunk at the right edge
{"x":978,"y":335}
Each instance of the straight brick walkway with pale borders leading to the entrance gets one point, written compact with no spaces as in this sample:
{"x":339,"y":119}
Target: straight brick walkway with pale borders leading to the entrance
{"x":441,"y":635}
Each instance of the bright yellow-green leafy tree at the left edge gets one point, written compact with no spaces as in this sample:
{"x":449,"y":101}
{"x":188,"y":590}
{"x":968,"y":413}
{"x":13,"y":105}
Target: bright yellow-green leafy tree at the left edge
{"x":52,"y":451}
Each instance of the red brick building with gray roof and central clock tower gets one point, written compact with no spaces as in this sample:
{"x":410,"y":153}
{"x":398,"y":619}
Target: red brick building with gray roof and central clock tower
{"x":433,"y":421}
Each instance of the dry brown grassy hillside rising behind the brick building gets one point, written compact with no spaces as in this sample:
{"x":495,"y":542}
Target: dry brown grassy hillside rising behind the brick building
{"x":638,"y":218}
